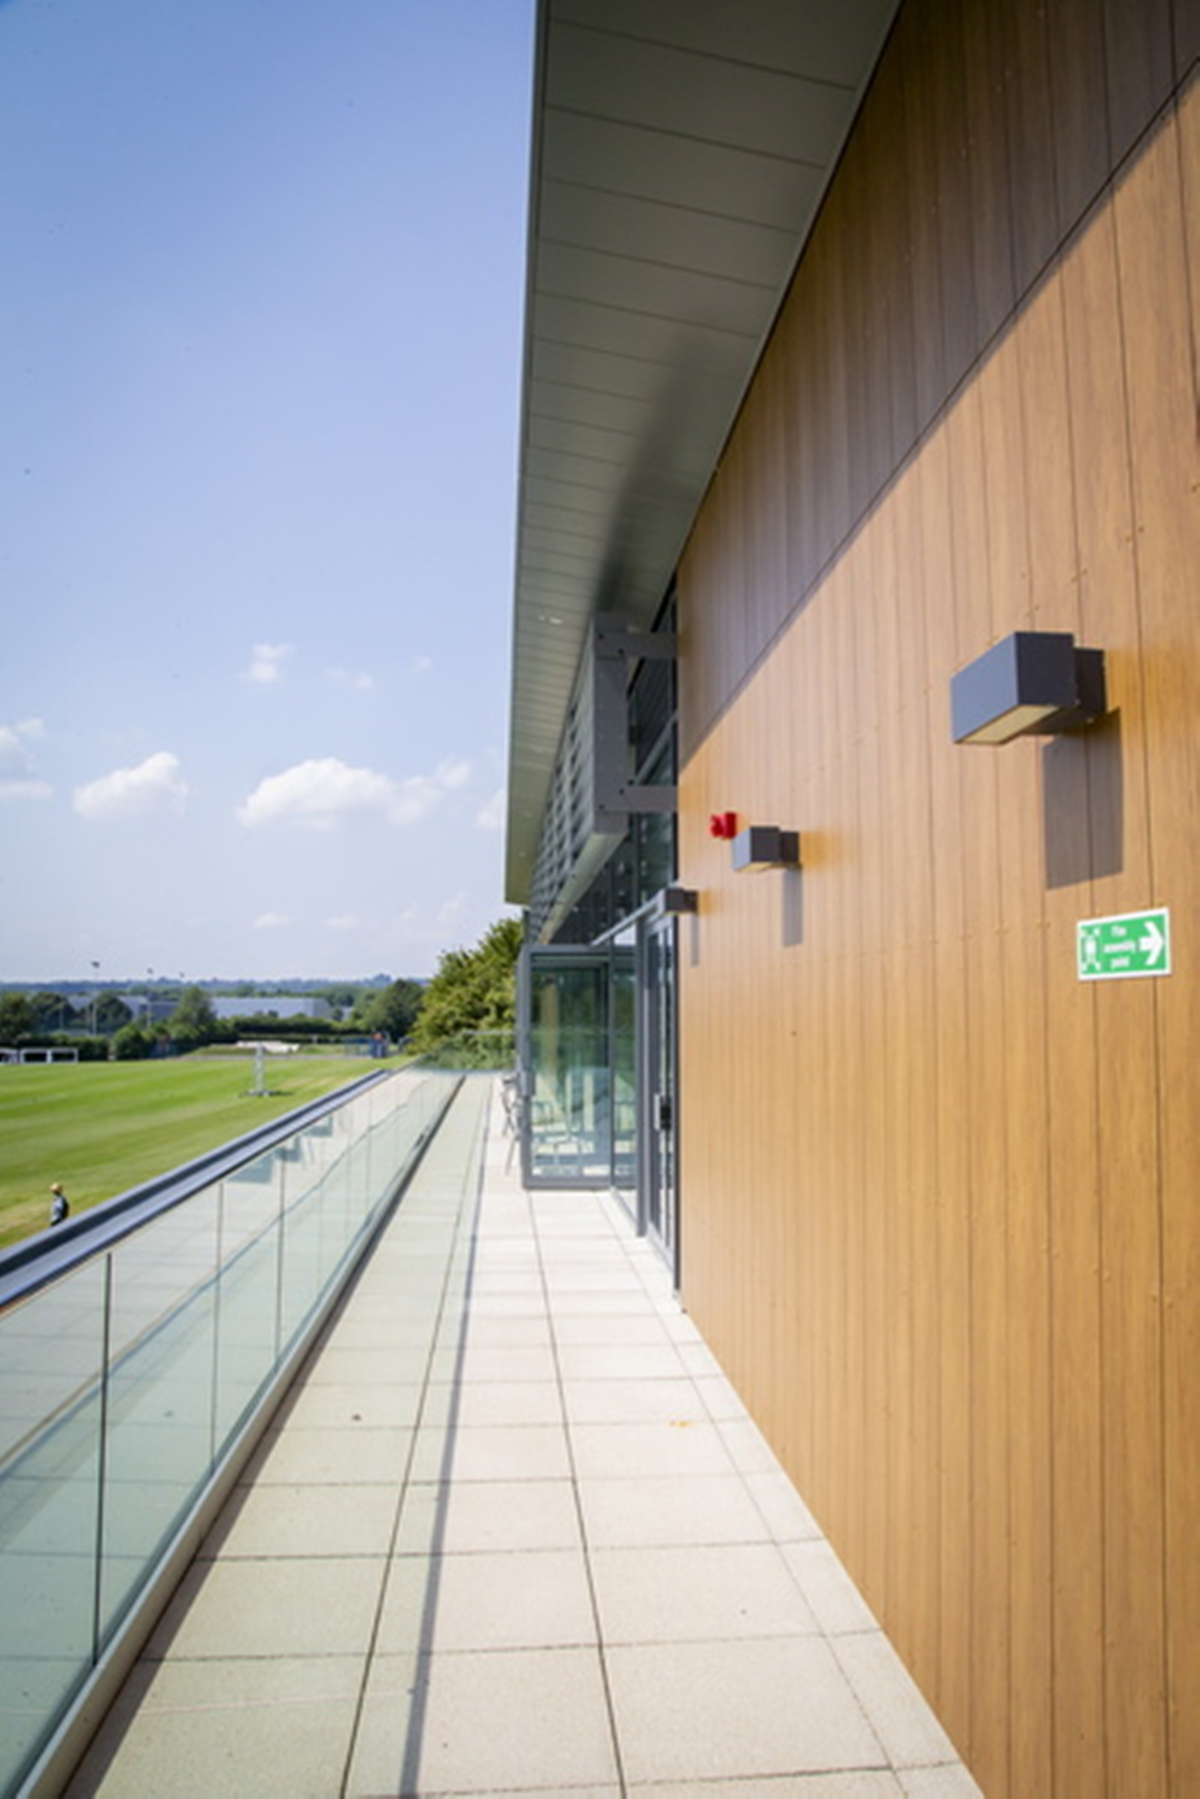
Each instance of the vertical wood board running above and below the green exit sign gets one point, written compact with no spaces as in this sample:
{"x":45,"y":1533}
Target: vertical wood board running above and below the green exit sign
{"x":1129,"y":1235}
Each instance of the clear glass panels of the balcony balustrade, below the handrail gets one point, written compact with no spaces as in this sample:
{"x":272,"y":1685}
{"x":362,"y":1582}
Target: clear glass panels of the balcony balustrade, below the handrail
{"x":129,"y":1381}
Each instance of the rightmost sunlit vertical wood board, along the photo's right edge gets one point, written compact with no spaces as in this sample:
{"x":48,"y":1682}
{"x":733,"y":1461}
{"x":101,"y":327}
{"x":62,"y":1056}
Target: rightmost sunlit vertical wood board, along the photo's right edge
{"x":1165,"y":458}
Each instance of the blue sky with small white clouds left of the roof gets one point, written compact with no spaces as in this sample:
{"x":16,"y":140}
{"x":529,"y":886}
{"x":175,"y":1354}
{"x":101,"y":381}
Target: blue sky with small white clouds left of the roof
{"x":260,"y":364}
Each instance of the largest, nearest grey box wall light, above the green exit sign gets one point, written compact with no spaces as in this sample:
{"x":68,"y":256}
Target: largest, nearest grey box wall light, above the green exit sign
{"x":1030,"y":683}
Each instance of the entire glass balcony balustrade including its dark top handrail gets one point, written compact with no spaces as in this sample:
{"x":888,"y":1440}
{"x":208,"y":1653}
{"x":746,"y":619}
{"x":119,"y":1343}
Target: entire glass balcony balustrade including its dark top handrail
{"x":91,"y":1417}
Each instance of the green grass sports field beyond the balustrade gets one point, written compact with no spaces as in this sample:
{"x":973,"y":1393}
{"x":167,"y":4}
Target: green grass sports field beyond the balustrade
{"x":103,"y":1127}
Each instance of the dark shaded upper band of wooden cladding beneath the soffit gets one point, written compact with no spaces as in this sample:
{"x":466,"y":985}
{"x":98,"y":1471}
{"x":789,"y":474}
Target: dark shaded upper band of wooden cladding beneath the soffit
{"x":990,"y":130}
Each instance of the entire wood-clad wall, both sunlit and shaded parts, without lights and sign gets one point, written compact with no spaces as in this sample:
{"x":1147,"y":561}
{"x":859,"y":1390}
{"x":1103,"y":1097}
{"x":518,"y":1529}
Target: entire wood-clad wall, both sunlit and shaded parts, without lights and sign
{"x":940,"y":1199}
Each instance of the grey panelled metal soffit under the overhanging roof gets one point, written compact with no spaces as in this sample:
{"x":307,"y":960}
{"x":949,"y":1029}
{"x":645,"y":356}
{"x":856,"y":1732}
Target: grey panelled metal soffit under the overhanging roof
{"x":681,"y":150}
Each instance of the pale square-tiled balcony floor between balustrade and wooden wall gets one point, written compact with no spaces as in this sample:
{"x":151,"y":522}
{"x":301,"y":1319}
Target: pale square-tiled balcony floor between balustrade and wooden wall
{"x":514,"y":1534}
